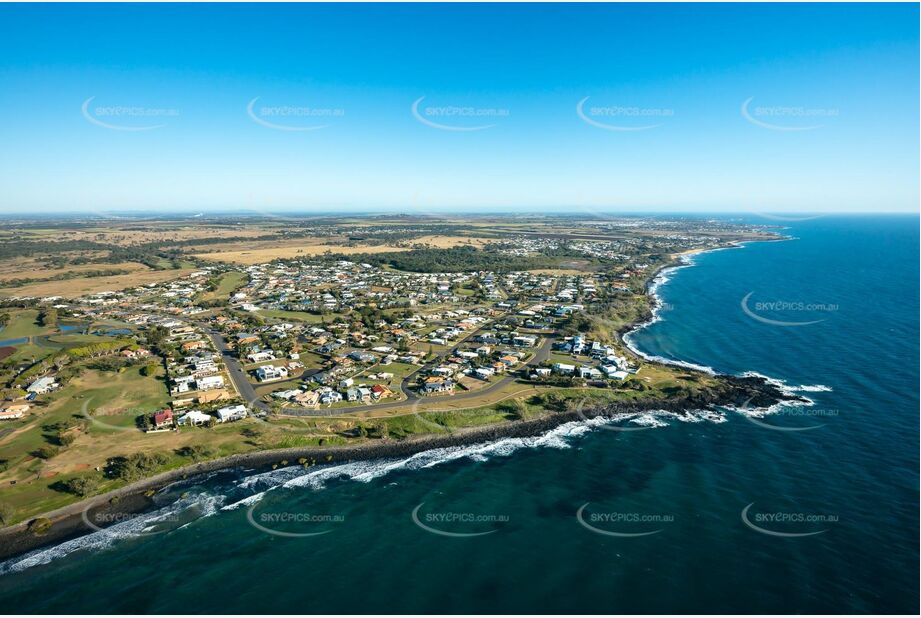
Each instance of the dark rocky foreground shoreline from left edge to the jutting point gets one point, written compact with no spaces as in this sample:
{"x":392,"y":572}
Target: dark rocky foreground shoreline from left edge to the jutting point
{"x":73,"y":520}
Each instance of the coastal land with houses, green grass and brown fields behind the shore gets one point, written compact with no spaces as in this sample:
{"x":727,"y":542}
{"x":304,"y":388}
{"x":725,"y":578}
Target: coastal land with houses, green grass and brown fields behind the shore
{"x":130,"y":347}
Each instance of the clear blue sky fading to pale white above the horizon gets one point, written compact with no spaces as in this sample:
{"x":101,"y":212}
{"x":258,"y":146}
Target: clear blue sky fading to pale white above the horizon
{"x":146,"y":107}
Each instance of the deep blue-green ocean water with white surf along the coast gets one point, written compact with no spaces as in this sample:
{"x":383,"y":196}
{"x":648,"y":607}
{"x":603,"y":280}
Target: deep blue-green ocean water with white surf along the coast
{"x":810,"y":509}
